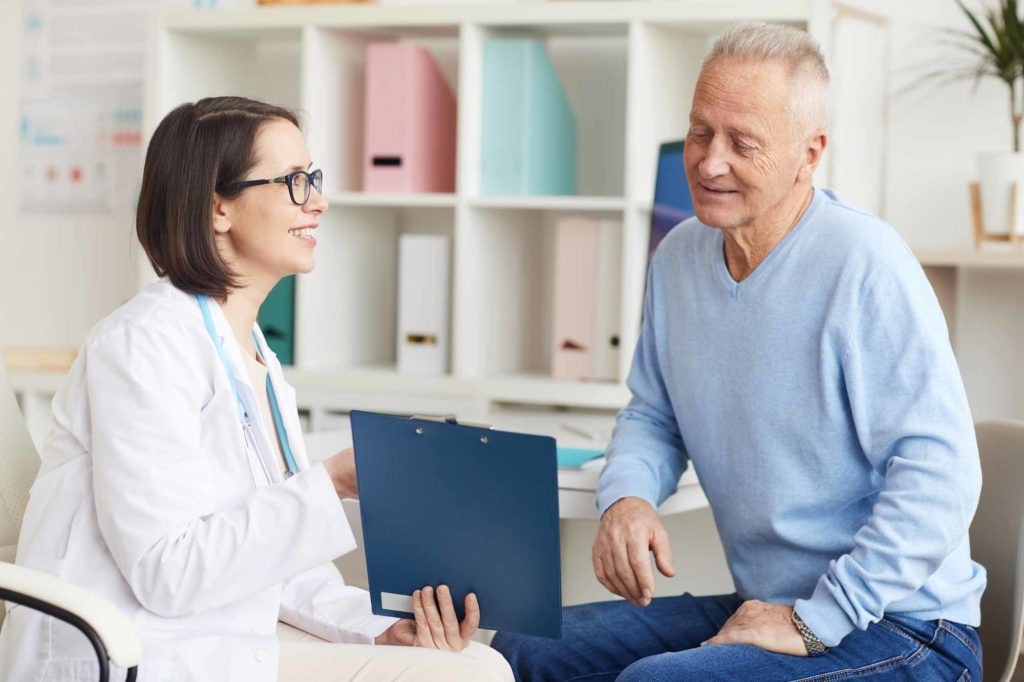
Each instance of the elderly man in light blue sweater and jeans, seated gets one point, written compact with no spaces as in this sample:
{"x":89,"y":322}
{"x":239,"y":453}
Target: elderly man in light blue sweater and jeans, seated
{"x":794,"y":353}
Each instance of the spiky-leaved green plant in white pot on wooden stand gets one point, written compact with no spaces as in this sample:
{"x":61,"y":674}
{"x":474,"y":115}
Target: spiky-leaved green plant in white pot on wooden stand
{"x":995,"y":44}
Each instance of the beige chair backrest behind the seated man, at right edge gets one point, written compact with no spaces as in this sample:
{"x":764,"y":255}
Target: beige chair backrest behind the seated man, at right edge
{"x":998,"y":544}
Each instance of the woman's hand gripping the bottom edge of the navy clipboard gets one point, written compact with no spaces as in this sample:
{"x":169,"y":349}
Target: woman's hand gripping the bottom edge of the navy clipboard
{"x":437,"y":626}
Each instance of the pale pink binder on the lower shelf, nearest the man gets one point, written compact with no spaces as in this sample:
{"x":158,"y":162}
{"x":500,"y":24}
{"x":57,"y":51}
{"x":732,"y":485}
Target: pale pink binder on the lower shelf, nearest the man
{"x":574,"y":327}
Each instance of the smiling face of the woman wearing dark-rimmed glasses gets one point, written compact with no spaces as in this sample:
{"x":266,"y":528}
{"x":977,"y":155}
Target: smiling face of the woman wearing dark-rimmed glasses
{"x":266,"y":232}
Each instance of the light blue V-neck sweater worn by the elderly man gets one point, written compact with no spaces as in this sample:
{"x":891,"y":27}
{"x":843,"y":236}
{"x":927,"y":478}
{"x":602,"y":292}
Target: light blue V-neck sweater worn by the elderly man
{"x":821,"y":404}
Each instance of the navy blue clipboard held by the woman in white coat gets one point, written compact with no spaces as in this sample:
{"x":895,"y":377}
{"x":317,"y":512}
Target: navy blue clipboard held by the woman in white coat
{"x":468,"y":507}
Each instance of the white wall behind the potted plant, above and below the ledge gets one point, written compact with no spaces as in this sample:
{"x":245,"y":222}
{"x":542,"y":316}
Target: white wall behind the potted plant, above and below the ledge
{"x":935,"y":134}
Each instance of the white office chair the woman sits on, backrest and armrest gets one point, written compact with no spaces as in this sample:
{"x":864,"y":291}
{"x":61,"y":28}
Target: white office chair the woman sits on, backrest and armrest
{"x":113,"y":636}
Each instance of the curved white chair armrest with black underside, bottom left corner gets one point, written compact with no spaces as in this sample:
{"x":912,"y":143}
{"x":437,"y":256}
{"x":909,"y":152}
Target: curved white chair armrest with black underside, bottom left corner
{"x":117,"y":635}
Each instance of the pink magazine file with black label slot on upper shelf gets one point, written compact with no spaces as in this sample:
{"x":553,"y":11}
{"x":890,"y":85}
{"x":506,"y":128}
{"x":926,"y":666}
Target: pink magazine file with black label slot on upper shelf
{"x":410,"y":122}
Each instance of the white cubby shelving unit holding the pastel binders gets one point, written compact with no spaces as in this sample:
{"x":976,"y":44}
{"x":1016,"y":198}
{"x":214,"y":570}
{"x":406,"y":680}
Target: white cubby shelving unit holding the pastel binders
{"x":628,"y":70}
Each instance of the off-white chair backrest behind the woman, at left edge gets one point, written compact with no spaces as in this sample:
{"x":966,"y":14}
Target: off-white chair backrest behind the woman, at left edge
{"x":19,"y":464}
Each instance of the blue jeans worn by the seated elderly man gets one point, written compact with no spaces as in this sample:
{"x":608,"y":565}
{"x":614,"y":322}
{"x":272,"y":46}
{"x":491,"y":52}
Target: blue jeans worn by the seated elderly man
{"x":616,"y":641}
